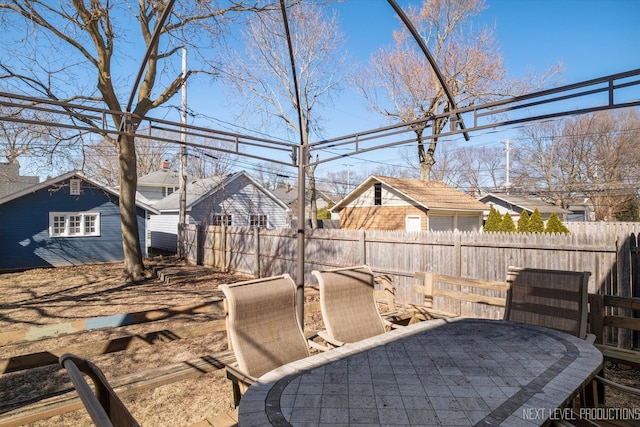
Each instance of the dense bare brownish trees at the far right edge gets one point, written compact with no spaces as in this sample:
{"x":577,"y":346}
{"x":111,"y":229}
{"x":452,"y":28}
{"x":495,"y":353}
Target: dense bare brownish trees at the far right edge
{"x":592,"y":155}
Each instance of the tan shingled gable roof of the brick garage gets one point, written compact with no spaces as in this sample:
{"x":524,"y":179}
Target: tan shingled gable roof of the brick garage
{"x":428,"y":194}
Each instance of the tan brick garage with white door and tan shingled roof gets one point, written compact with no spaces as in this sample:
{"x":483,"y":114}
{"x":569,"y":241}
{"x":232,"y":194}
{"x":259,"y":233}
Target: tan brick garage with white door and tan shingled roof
{"x":386,"y":203}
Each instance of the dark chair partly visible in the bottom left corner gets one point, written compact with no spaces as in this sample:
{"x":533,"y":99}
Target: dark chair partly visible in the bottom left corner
{"x":104,"y":406}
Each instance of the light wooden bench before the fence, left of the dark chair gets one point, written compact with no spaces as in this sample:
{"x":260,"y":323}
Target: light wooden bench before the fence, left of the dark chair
{"x":461,"y":289}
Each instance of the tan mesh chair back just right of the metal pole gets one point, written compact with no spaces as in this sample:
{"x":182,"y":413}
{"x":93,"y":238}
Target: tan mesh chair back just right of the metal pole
{"x":348,"y":305}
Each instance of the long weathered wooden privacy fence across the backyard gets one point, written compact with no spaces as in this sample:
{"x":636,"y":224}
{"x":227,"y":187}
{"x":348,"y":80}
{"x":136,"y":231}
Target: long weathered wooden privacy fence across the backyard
{"x":608,"y":250}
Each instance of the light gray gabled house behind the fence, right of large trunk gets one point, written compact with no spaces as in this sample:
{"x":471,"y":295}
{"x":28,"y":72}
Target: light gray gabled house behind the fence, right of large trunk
{"x":231,"y":200}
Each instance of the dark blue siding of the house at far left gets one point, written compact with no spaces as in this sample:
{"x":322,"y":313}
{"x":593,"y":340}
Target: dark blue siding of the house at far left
{"x":24,"y":227}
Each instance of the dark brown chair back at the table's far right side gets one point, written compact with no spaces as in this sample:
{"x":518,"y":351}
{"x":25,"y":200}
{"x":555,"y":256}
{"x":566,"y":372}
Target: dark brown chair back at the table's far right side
{"x":555,"y":299}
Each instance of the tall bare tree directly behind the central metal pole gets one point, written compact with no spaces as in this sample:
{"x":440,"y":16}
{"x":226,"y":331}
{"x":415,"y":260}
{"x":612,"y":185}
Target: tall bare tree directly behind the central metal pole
{"x":263,"y":72}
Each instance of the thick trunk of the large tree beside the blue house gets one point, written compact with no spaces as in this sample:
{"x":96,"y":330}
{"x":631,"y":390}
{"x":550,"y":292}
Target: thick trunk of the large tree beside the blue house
{"x":133,"y":266}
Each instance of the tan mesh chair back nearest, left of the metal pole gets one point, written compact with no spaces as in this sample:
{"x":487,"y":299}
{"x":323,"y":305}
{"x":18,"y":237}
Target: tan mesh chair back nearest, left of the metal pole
{"x":262,"y":324}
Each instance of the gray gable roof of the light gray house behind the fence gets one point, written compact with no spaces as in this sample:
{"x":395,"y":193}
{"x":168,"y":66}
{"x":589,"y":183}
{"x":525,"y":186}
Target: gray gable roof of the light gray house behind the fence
{"x":199,"y":189}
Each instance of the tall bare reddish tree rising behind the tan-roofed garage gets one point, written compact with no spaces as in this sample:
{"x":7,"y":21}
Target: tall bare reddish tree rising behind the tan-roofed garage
{"x":401,"y":84}
